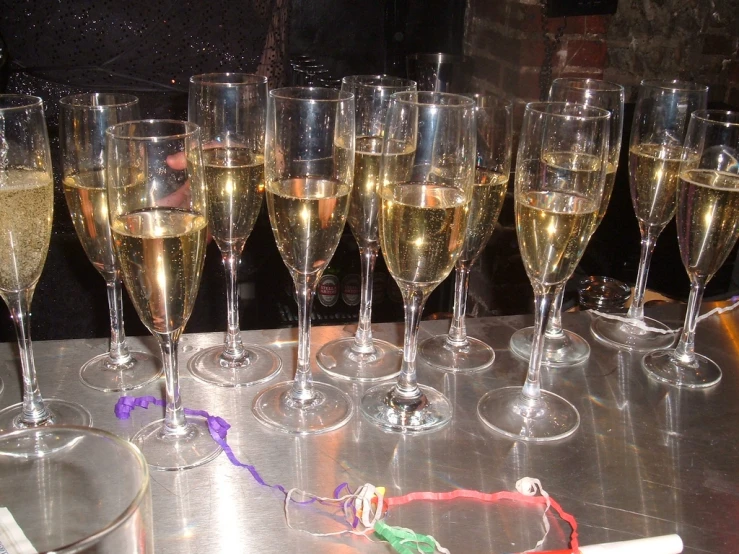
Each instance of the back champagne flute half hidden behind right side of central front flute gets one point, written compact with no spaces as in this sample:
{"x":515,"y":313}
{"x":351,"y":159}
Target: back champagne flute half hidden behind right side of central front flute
{"x":455,"y":351}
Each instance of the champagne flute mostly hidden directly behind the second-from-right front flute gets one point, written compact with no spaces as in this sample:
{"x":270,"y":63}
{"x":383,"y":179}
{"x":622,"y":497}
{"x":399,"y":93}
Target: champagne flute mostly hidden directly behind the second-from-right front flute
{"x":562,"y":347}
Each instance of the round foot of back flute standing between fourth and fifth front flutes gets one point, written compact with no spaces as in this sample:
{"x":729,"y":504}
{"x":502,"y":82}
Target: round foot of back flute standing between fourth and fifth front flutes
{"x":439,"y":353}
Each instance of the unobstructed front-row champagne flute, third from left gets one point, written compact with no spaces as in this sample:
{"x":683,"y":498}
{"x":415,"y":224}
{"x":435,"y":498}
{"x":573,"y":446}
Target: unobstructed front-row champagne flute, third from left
{"x":309,"y":164}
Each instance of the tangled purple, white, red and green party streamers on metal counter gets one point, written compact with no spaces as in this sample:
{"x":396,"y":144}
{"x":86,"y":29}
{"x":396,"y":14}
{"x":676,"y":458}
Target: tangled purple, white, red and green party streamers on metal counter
{"x":364,"y":510}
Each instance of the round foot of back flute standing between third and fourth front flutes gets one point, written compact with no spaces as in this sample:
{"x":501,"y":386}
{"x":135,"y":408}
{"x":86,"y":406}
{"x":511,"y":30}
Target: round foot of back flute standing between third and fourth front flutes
{"x":339,"y":359}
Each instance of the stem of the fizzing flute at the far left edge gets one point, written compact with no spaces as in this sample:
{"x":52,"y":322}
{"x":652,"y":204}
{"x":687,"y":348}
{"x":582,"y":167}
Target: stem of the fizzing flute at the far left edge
{"x":34,"y":411}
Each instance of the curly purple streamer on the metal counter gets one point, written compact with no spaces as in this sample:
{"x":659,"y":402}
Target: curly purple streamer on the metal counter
{"x":218,"y":428}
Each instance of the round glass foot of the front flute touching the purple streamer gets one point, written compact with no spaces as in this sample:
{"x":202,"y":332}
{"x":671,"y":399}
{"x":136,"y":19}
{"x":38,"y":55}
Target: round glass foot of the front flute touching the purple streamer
{"x":167,"y":452}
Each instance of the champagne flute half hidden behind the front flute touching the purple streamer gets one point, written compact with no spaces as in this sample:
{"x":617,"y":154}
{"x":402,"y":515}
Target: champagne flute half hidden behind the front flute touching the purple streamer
{"x":83,"y":120}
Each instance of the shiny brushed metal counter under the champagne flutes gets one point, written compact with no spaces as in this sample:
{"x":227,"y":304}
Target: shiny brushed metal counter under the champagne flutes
{"x":647,"y":460}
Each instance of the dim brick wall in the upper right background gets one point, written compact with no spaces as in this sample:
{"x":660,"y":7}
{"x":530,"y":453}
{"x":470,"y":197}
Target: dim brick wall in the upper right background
{"x":517,"y":50}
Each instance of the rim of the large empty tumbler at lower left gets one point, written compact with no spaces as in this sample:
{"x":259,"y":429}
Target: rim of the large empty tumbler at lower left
{"x":132,"y":506}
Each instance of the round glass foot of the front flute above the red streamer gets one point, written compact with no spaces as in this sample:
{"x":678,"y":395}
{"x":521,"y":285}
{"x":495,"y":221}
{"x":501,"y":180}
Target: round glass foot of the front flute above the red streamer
{"x":507,"y":412}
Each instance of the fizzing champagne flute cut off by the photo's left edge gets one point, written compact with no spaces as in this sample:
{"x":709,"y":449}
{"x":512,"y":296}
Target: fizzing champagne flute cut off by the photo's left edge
{"x":26,"y":212}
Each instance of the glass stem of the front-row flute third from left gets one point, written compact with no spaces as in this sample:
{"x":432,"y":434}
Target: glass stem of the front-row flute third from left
{"x":305,"y":286}
